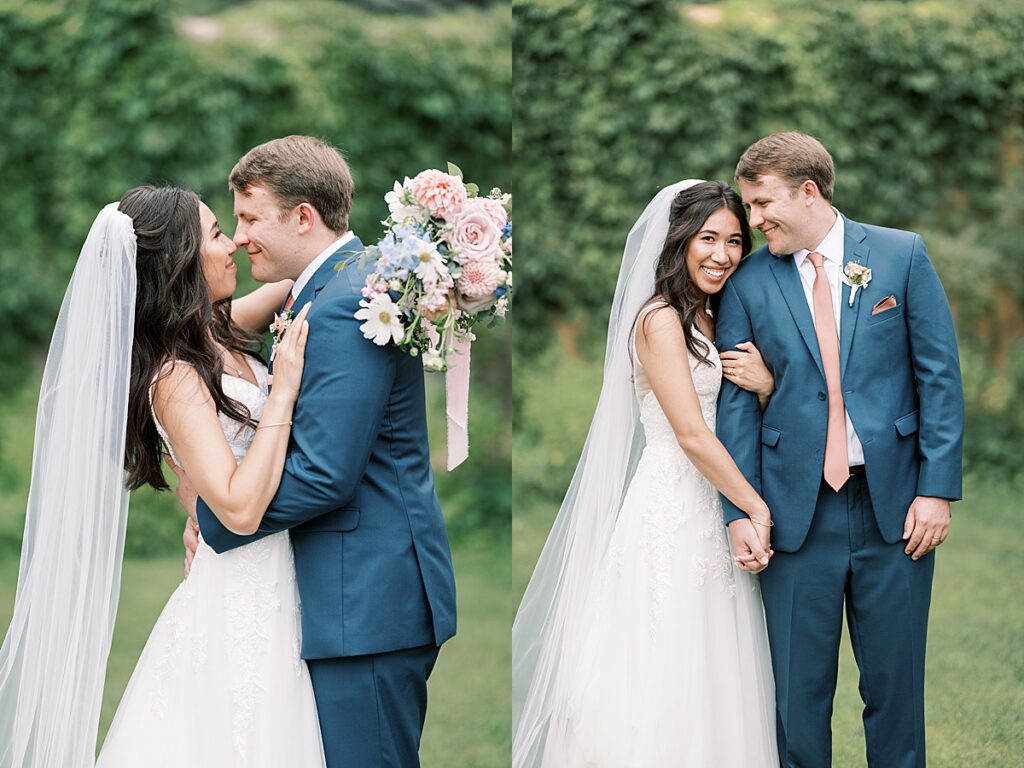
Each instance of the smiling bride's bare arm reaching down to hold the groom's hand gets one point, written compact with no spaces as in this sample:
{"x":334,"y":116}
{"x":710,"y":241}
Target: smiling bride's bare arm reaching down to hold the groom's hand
{"x":662,"y":350}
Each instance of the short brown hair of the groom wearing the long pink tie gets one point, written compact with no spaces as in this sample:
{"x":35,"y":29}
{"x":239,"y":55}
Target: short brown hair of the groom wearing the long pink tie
{"x":792,"y":156}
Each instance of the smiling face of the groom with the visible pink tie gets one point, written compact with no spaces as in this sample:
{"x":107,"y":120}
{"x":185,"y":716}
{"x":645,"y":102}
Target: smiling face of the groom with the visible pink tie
{"x":780,"y":211}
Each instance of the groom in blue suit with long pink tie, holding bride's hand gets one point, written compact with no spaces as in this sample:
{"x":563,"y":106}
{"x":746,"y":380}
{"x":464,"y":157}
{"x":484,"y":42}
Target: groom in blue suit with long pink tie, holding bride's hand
{"x":858,"y":454}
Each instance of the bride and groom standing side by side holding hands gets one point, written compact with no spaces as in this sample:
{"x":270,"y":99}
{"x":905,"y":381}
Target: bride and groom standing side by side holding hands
{"x":749,"y":475}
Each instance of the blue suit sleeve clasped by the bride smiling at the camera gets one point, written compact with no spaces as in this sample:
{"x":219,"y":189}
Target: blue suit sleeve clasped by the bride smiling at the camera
{"x":739,"y":421}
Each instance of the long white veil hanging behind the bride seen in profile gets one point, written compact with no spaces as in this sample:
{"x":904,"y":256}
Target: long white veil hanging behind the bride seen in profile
{"x":54,"y":661}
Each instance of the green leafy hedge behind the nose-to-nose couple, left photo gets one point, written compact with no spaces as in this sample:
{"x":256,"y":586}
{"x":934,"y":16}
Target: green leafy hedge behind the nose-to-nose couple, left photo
{"x":101,"y":96}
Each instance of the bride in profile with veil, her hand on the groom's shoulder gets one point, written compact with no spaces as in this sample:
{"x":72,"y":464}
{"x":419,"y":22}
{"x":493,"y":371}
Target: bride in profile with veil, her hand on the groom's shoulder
{"x":150,"y":354}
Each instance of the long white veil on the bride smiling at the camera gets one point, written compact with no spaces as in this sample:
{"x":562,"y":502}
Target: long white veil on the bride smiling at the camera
{"x":558,"y":591}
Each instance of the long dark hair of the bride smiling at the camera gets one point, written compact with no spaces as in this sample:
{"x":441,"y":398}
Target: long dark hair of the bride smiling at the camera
{"x":673,"y":283}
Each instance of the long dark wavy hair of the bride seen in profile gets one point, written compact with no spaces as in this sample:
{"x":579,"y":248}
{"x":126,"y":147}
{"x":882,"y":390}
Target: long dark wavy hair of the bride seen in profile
{"x":176,"y":319}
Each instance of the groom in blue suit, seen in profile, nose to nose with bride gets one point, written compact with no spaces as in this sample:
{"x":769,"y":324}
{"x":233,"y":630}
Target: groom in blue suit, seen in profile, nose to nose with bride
{"x":372,"y":556}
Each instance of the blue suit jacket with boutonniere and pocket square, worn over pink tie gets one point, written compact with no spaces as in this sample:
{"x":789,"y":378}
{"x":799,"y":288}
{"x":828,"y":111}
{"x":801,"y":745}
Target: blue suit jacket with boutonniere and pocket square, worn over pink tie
{"x":901,"y":377}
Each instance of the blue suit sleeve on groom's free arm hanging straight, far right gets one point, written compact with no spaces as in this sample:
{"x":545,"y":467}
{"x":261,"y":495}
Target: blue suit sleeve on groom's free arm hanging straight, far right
{"x":936,"y":369}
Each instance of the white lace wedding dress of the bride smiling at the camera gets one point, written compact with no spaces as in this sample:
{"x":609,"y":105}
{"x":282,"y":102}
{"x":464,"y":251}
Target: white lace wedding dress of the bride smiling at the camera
{"x":670,"y":667}
